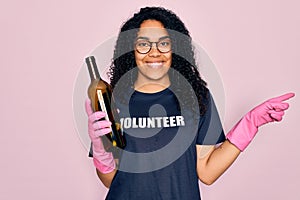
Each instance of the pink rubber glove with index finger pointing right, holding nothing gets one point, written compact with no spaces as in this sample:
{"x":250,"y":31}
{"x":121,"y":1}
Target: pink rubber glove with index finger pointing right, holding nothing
{"x":245,"y":130}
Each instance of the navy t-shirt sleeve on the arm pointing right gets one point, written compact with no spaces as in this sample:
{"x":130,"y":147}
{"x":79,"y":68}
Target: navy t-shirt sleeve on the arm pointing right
{"x":210,"y":130}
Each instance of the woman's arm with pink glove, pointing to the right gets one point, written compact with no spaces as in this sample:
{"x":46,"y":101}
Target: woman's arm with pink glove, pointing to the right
{"x":212,"y":164}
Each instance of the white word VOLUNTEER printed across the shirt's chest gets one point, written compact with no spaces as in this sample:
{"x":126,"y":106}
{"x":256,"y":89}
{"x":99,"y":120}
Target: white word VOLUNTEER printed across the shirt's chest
{"x":152,"y":122}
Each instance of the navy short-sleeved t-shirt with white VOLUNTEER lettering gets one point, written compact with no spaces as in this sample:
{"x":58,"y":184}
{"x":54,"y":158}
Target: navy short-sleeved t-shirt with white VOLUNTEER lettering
{"x":159,"y":160}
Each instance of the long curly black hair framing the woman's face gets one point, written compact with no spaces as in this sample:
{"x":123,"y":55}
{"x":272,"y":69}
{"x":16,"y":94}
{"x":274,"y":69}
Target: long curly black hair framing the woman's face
{"x":183,"y":60}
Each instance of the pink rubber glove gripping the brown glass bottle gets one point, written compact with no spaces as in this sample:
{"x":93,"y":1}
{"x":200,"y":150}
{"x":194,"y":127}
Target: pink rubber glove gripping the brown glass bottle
{"x":103,"y":161}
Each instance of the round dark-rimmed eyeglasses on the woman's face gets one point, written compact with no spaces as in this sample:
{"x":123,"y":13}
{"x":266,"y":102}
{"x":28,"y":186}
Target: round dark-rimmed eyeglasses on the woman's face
{"x":144,"y":46}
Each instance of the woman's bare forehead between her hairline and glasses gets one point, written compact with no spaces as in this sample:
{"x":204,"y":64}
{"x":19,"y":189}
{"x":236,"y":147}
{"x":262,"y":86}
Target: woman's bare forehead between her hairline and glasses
{"x":152,"y":29}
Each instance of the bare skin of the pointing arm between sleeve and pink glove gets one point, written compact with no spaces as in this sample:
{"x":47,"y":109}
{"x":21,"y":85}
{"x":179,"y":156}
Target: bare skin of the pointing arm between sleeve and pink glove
{"x":211,"y":167}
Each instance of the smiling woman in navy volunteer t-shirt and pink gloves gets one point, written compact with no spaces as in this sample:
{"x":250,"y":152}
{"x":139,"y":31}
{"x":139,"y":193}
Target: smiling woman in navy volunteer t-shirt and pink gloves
{"x":153,"y":61}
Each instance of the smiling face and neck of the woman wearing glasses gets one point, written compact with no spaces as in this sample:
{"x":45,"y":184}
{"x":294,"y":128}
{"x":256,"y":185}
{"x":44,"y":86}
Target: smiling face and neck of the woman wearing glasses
{"x":153,"y":66}
